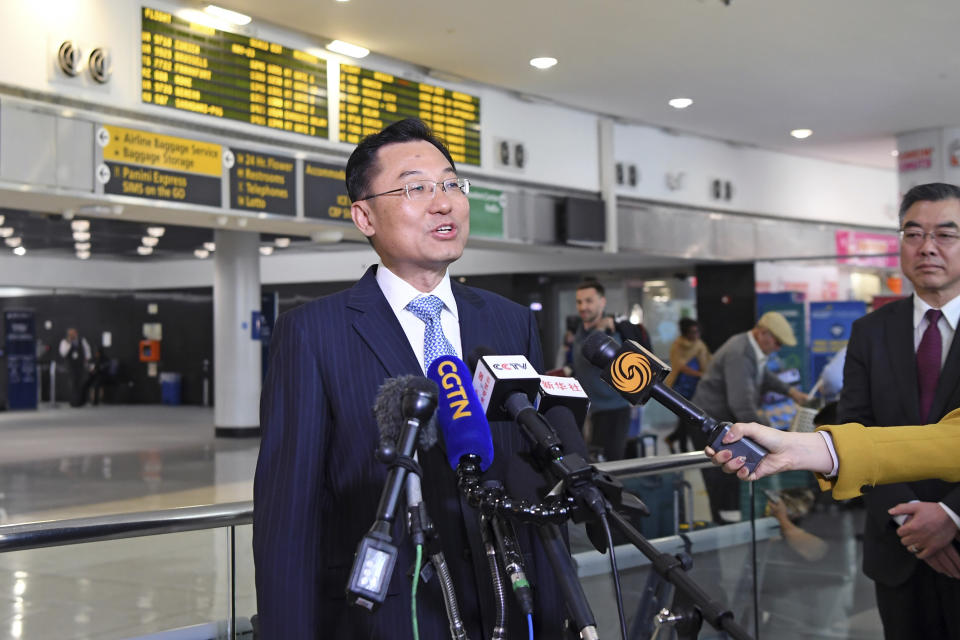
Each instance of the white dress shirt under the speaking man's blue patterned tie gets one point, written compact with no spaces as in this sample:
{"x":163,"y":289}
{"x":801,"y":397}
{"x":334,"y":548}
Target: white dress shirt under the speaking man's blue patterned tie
{"x":399,"y":293}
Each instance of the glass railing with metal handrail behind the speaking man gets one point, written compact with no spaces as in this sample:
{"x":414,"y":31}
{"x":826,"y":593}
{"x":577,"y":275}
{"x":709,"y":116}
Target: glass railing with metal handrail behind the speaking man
{"x":188,"y":573}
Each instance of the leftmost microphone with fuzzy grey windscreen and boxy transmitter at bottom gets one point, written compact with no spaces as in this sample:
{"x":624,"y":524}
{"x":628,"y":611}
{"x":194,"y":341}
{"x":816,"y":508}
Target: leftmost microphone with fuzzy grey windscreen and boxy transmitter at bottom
{"x":376,"y":554}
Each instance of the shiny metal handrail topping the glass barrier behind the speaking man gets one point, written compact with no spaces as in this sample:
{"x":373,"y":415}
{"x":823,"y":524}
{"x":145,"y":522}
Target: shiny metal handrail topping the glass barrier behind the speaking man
{"x":55,"y":533}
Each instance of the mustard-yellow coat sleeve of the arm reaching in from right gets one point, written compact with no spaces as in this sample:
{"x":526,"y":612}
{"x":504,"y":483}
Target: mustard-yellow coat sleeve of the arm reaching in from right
{"x":870,"y":456}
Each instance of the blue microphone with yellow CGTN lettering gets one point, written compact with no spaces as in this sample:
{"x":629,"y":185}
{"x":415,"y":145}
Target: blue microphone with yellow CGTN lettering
{"x":459,"y":413}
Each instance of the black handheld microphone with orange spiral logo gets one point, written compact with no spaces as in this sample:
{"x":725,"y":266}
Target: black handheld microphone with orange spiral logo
{"x":637,"y":375}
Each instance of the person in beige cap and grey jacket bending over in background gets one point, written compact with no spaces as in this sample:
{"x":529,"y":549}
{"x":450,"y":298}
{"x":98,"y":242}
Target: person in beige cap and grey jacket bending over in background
{"x":731,"y":389}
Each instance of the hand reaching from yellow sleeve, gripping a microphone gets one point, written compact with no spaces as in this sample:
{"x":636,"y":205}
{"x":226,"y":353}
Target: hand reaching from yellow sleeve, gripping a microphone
{"x":787,"y":451}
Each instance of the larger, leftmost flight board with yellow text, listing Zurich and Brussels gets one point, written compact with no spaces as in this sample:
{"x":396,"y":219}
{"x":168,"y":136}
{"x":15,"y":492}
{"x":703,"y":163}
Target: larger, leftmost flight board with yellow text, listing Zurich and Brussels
{"x":196,"y":68}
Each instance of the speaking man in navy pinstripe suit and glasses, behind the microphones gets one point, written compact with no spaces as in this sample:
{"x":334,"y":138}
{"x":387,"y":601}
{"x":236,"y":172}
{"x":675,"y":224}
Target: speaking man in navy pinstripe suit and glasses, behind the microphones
{"x":317,"y":482}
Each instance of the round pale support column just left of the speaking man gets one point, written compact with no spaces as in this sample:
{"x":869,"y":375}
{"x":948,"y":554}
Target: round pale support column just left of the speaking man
{"x":236,"y":355}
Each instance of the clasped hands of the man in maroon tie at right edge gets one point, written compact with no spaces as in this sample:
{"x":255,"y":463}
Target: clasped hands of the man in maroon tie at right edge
{"x":927,"y":533}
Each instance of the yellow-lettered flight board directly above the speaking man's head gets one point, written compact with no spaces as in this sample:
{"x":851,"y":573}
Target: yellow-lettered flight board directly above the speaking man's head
{"x":371,"y":100}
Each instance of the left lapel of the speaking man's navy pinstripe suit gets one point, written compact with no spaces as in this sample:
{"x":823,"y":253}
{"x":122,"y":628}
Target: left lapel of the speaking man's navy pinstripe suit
{"x":379,"y":328}
